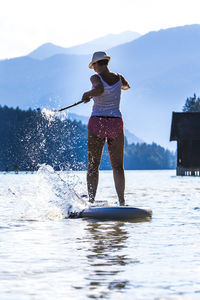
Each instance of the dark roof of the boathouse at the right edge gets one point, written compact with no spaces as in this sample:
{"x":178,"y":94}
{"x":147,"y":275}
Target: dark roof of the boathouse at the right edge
{"x":185,"y":126}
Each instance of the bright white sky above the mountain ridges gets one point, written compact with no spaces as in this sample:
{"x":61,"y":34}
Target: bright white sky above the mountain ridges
{"x":27,"y":24}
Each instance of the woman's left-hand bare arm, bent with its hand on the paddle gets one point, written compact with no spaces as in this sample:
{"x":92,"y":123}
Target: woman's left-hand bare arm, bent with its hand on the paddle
{"x":97,"y":90}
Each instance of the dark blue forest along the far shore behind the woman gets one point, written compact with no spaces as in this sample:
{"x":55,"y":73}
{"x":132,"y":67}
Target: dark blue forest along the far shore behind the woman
{"x":29,"y":138}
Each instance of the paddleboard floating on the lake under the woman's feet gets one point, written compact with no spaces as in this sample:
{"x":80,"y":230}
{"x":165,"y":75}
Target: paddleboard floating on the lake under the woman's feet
{"x":123,"y":213}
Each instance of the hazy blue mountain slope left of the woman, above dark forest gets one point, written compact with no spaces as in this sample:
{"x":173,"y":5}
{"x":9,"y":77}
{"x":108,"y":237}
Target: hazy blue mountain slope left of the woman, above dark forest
{"x":26,"y":82}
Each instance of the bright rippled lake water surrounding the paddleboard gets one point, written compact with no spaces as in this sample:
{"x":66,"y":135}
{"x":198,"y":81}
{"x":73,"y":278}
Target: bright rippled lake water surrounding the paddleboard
{"x":45,"y":256}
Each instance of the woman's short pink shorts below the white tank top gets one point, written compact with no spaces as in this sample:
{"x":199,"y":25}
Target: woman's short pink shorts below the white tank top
{"x":103,"y":127}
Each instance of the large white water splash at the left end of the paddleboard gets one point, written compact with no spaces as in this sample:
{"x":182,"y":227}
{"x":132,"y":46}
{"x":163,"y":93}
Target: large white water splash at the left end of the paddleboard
{"x":56,"y":195}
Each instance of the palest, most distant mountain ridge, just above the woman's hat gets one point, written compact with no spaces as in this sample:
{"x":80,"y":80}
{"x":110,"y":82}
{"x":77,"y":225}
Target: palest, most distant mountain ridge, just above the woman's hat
{"x":103,"y":43}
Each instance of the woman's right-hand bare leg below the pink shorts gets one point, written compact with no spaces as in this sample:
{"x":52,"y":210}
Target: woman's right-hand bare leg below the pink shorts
{"x":116,"y":152}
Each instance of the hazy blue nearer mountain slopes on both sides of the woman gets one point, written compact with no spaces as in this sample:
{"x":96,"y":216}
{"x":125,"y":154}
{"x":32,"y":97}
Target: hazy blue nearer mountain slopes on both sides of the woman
{"x":162,"y":67}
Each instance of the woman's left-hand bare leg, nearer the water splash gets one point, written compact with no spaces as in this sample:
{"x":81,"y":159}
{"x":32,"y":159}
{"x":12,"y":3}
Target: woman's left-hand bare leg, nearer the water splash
{"x":95,"y":149}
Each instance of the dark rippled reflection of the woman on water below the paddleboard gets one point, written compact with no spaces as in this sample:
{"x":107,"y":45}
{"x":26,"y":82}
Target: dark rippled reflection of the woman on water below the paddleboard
{"x":106,"y":259}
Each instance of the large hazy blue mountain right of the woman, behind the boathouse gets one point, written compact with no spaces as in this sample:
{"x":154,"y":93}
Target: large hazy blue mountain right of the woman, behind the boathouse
{"x":163,"y":69}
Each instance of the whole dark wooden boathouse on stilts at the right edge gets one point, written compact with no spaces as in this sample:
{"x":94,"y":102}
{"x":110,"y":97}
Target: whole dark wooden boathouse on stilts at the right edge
{"x":185,"y":129}
